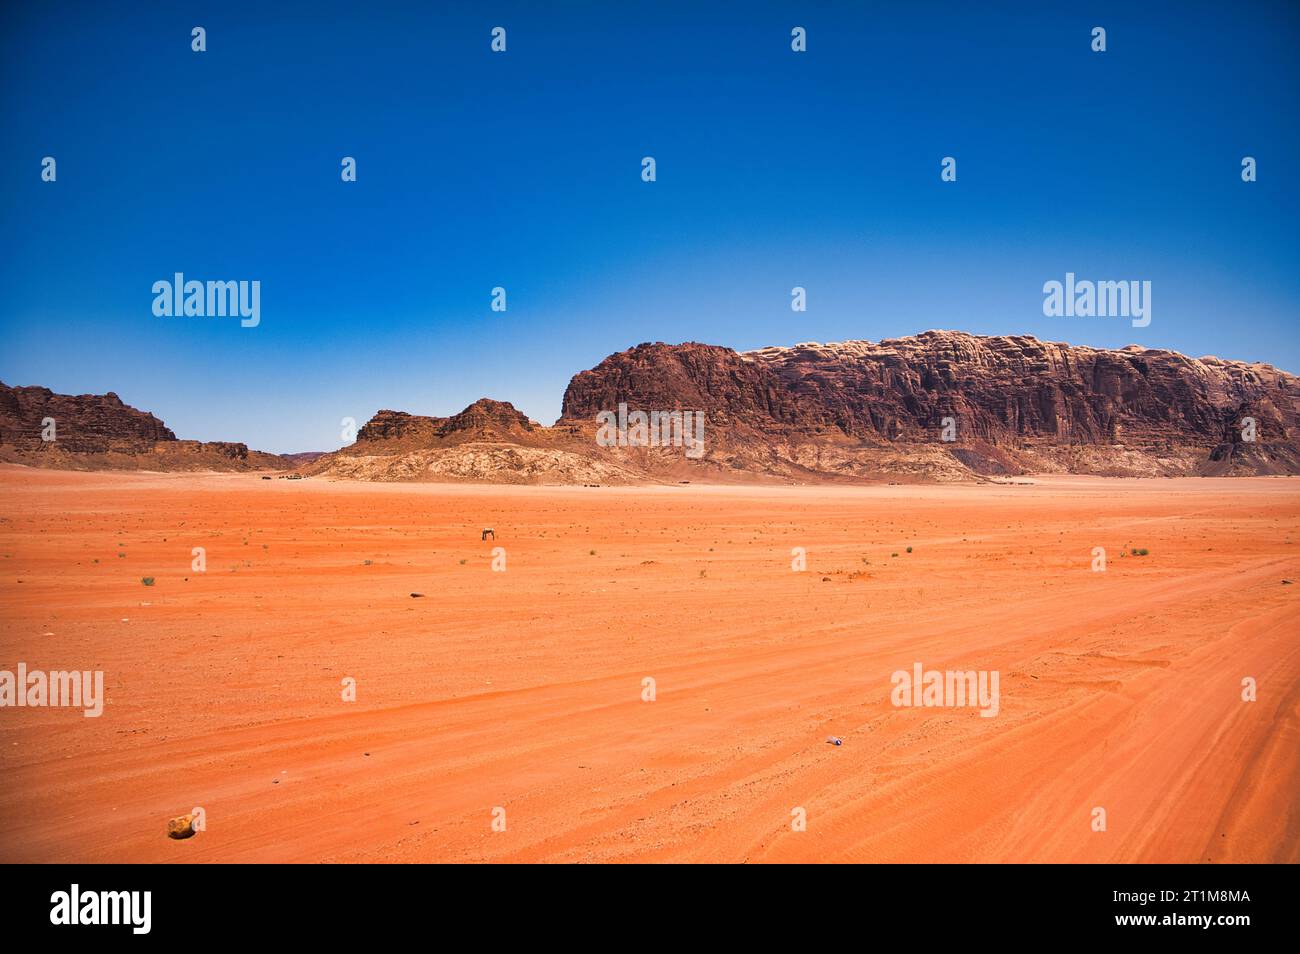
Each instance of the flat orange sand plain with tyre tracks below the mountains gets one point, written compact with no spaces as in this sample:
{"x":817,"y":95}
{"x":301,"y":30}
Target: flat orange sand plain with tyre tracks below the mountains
{"x":523,"y":690}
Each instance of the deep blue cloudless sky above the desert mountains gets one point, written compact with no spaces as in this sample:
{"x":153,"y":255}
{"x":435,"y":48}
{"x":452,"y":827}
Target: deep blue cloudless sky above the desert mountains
{"x":523,"y":170}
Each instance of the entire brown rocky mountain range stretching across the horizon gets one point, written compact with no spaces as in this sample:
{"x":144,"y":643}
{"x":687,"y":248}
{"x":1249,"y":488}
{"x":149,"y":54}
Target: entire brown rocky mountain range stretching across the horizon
{"x":939,"y":406}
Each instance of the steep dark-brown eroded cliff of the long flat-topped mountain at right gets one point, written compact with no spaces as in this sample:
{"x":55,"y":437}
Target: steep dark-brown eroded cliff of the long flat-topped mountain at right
{"x":1017,"y":404}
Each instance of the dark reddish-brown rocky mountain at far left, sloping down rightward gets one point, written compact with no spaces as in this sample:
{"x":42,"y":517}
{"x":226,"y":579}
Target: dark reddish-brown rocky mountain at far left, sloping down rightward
{"x":92,"y":432}
